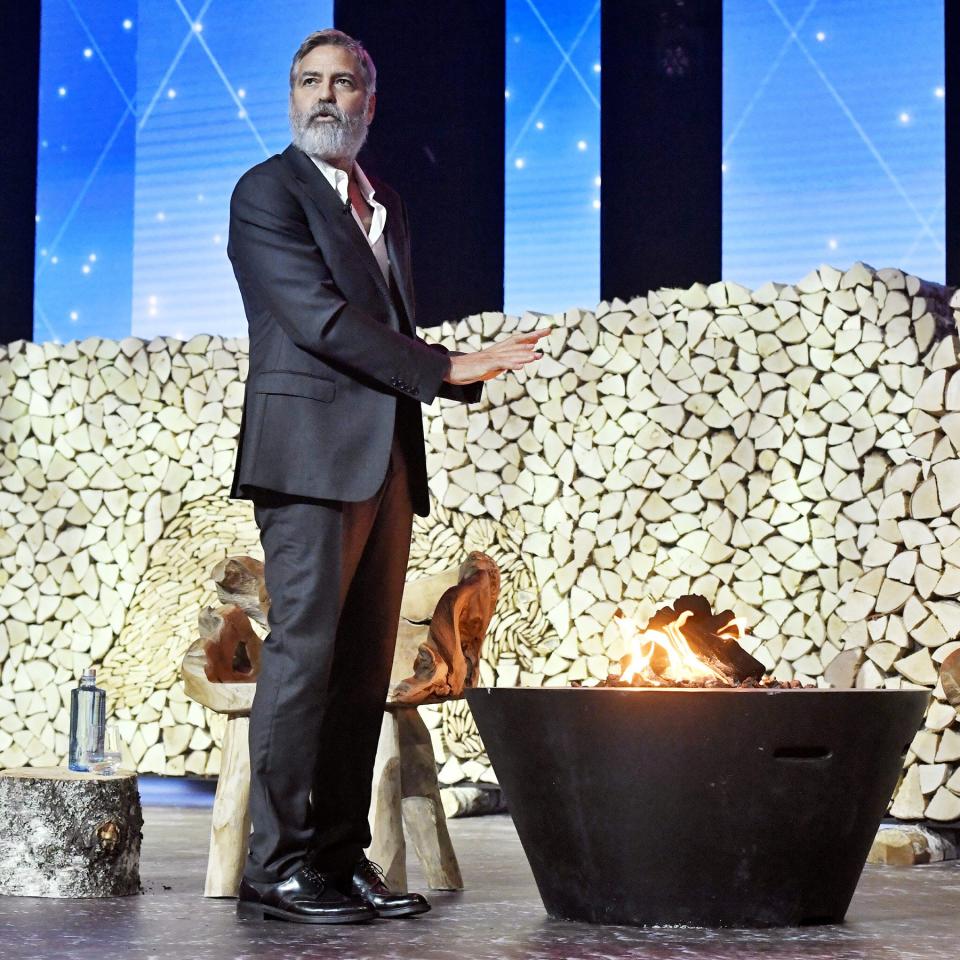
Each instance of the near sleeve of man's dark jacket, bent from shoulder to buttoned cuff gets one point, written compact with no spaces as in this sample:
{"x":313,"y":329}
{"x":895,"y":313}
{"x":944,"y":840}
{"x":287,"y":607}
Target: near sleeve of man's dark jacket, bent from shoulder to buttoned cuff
{"x":272,"y":248}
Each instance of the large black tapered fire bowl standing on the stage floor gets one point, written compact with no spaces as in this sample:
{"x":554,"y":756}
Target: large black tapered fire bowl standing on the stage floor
{"x":707,"y":808}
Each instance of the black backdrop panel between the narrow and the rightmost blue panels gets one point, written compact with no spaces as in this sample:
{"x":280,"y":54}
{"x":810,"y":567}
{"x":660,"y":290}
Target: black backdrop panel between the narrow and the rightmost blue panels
{"x":661,"y":134}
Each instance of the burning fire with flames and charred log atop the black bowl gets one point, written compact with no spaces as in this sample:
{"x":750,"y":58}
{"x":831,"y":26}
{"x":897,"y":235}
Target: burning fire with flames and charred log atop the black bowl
{"x":684,"y":645}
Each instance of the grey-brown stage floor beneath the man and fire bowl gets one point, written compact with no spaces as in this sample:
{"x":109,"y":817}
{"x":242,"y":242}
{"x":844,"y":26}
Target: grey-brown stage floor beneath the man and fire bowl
{"x":898,"y":913}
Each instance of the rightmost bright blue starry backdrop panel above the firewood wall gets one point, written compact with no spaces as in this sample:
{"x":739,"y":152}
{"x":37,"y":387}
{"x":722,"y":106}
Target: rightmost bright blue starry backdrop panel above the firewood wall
{"x":833,"y":137}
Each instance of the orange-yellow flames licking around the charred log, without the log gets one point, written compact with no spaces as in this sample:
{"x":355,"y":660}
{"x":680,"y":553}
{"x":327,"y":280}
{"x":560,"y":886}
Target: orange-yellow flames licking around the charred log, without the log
{"x":682,"y":662}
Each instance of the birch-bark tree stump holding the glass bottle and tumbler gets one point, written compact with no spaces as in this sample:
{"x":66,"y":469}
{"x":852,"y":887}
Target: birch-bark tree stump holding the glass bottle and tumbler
{"x":69,"y":834}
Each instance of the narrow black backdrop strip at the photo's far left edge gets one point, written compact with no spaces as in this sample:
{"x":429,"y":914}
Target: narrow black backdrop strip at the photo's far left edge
{"x":19,"y":76}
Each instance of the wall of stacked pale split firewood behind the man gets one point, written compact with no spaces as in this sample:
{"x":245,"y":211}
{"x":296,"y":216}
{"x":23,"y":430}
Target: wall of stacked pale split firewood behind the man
{"x":789,"y":452}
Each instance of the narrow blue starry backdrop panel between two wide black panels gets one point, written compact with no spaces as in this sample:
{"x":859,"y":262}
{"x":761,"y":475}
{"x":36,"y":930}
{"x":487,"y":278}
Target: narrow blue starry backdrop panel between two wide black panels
{"x":565,"y":129}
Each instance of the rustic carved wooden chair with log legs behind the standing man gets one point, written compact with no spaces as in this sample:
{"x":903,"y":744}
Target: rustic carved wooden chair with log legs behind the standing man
{"x":443,"y":620}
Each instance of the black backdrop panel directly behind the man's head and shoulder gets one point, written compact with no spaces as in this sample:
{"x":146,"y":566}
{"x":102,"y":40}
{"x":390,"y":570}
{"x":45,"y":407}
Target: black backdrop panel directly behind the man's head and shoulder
{"x":437,"y":138}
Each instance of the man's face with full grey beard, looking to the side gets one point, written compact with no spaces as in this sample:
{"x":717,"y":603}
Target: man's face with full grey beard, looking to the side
{"x":330,"y":109}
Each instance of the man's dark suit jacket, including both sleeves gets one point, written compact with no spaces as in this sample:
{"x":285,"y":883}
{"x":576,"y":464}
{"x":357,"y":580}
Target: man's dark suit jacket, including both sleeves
{"x":334,"y":357}
